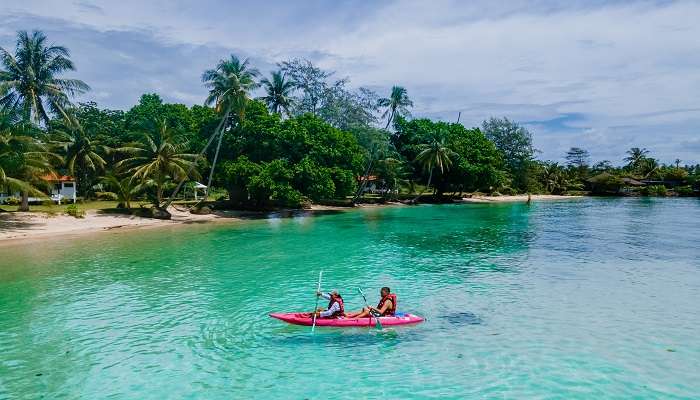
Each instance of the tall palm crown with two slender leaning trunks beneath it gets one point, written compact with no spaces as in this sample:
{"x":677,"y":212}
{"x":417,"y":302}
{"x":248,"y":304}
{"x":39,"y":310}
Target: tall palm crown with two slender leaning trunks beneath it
{"x":229,"y":87}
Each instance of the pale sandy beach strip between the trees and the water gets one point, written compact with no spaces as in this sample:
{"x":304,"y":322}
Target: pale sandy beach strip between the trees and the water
{"x":20,"y":228}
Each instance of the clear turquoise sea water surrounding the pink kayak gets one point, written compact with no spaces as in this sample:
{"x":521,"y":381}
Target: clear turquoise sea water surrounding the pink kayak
{"x":586,"y":298}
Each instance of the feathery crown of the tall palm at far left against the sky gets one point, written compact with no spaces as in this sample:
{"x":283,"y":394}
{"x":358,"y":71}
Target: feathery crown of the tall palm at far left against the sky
{"x":30,"y":79}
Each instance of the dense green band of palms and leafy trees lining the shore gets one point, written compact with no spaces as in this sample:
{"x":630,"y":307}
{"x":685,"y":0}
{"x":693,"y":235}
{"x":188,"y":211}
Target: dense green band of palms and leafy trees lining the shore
{"x":298,"y":136}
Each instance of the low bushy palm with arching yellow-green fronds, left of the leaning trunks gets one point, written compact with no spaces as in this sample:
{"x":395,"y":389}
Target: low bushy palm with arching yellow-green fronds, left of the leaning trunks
{"x":157,"y":159}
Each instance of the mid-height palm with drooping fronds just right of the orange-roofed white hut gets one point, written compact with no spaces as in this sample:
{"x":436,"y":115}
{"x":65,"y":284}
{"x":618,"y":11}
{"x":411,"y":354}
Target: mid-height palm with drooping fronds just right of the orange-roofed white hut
{"x":82,"y":154}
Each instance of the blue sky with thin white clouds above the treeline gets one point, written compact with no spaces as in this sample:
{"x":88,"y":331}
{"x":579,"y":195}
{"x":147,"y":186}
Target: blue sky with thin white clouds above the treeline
{"x":601,"y":75}
